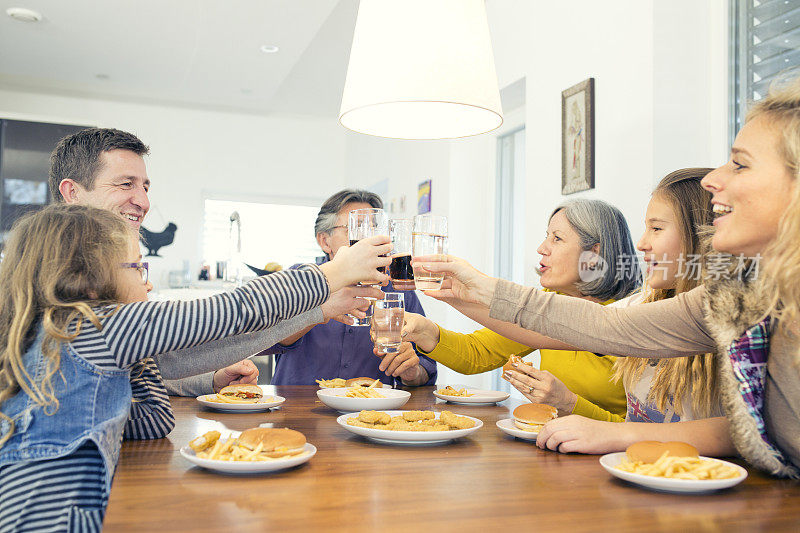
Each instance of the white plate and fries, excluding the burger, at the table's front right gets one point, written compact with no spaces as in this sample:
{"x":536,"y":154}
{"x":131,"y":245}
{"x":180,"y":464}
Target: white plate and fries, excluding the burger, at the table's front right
{"x":676,"y":474}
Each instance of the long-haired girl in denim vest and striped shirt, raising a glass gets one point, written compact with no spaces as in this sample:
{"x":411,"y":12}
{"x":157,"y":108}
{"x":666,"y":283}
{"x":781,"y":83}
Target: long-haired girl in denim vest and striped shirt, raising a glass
{"x":75,"y":329}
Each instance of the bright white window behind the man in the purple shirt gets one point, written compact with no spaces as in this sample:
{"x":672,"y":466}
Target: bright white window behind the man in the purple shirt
{"x":270,"y":233}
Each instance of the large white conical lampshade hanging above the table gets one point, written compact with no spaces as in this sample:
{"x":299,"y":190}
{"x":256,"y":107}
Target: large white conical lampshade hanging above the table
{"x":421,"y":69}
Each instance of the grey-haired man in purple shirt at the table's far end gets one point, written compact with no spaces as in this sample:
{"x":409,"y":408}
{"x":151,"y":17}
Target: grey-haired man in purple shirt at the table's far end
{"x":338,"y":349}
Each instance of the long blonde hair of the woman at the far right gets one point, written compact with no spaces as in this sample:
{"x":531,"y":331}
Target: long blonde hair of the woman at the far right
{"x":782,"y":255}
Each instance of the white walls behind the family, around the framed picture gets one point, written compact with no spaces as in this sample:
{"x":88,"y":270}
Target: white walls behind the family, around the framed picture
{"x":661,"y":104}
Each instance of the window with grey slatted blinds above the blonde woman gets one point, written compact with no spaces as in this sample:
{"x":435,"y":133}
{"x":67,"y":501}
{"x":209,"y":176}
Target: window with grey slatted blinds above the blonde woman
{"x":765,"y":41}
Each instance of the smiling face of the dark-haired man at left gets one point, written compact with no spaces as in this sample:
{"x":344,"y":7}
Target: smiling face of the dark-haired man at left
{"x":121,"y":186}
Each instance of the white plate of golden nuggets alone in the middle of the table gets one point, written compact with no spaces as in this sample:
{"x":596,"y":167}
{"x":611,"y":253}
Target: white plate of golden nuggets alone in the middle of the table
{"x":409,"y":427}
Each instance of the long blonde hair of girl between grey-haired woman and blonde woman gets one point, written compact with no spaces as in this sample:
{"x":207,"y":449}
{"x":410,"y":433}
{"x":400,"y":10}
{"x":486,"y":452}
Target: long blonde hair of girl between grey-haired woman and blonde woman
{"x":679,"y":377}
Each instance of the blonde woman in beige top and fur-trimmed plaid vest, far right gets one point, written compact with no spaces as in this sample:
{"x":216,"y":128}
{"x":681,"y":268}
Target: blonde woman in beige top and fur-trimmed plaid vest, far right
{"x":749,"y":316}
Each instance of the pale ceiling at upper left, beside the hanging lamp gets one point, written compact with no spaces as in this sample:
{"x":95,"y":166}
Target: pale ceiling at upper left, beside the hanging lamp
{"x":195,"y":53}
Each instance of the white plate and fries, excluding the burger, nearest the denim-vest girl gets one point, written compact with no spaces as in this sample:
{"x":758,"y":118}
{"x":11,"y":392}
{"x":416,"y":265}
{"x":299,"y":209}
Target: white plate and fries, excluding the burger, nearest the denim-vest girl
{"x":230,"y":458}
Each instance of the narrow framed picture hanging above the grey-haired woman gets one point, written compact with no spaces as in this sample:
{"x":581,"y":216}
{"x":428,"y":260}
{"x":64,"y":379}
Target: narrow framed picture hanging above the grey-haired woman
{"x":577,"y":137}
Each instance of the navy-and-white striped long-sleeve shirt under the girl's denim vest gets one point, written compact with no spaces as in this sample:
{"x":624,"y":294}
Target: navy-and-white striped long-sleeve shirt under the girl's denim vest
{"x":68,"y":493}
